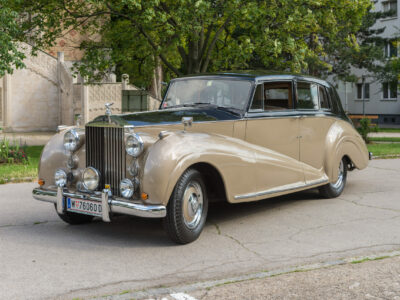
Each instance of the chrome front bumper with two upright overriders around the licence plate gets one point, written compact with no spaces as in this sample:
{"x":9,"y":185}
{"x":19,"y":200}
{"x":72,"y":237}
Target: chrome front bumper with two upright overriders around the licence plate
{"x":109,"y":204}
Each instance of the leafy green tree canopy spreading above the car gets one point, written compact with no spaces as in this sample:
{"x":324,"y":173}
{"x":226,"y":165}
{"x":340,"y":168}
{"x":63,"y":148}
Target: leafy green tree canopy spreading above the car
{"x":192,"y":36}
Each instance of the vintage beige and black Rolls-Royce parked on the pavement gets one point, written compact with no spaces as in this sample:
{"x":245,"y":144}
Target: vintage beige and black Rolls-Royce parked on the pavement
{"x":233,"y":137}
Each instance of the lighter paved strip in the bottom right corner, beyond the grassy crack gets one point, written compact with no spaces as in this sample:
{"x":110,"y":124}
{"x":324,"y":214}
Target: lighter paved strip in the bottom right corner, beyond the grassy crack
{"x":379,"y":279}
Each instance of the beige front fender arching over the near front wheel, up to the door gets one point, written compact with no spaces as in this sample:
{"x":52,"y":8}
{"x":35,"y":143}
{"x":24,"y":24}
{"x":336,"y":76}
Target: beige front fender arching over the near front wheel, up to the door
{"x":169,"y":157}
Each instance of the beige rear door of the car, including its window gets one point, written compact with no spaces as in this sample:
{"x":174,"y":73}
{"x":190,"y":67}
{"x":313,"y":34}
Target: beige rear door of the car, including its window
{"x":314,"y":107}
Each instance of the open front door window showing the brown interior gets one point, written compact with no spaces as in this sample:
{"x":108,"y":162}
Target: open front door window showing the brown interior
{"x":278,"y":96}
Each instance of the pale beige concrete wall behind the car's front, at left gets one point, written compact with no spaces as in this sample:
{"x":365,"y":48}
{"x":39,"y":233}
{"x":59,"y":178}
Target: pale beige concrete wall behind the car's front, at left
{"x":43,"y":95}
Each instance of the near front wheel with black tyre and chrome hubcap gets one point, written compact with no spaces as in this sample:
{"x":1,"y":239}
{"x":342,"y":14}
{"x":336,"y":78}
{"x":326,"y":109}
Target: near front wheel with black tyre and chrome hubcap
{"x":187,"y":208}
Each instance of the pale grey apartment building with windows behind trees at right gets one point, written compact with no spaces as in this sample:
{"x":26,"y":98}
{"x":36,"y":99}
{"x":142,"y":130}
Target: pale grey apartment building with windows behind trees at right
{"x":368,"y":95}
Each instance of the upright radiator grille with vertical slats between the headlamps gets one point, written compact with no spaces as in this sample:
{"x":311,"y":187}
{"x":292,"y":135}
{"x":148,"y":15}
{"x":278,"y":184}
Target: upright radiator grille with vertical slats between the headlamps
{"x":105,"y":151}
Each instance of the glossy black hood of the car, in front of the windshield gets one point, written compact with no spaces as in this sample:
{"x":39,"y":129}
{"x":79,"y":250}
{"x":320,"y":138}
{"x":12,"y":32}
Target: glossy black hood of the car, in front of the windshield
{"x":165,"y":117}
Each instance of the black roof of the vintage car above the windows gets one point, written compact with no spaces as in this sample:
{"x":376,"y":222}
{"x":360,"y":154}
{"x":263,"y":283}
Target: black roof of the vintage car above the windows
{"x":258,"y":75}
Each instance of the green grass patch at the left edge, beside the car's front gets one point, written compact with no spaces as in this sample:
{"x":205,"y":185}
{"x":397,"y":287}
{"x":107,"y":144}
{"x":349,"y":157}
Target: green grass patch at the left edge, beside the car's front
{"x":20,"y":171}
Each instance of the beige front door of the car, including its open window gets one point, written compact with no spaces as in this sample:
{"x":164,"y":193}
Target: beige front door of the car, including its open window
{"x":272,"y":125}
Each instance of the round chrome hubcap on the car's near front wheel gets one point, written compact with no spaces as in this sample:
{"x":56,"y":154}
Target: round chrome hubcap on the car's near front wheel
{"x":192,"y":204}
